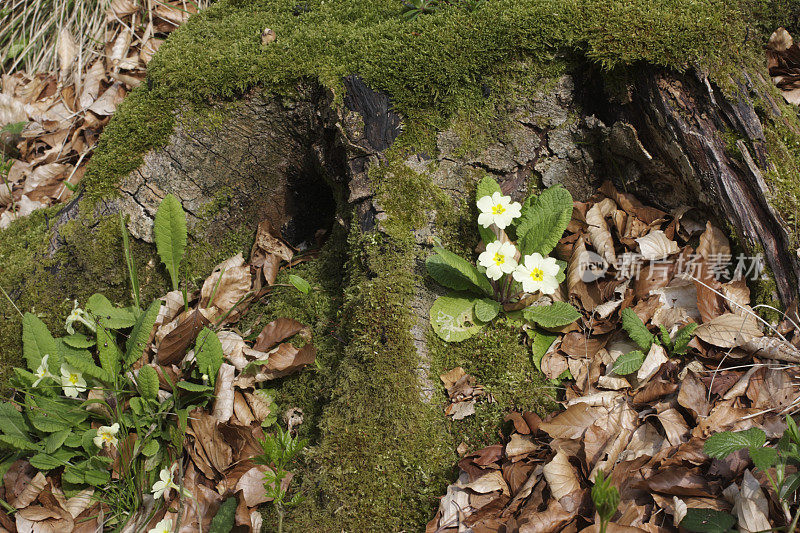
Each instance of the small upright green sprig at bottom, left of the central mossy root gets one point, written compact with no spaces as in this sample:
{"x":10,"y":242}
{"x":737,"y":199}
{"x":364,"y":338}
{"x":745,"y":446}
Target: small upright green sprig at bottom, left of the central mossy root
{"x":279,"y":451}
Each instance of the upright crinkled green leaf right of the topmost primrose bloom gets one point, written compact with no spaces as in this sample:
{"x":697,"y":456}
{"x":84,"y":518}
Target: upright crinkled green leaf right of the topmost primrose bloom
{"x":542,"y":225}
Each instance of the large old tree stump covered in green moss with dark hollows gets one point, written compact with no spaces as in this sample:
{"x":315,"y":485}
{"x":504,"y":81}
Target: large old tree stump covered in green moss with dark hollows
{"x":343,"y":153}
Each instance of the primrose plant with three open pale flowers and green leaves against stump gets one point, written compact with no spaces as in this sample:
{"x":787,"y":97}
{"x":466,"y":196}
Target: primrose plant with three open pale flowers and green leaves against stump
{"x":509,"y":278}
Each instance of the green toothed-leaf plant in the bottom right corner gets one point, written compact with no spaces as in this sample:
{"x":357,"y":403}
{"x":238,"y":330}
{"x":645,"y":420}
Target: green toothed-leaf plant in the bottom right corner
{"x":765,"y":458}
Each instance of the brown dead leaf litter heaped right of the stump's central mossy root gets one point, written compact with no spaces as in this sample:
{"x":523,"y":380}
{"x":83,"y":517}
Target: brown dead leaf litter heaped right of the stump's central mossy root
{"x":645,"y":429}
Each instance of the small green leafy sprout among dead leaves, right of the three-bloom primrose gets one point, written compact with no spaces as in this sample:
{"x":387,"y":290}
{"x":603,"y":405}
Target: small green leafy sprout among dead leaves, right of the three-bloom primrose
{"x":674,"y":345}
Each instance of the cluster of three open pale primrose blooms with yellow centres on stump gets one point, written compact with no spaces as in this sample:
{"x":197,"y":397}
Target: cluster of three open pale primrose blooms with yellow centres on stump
{"x":534,"y":272}
